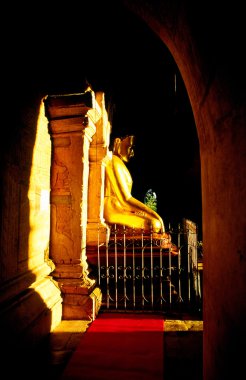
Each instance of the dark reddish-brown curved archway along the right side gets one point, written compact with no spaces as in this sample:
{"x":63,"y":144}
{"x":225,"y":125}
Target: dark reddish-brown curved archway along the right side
{"x":199,"y":39}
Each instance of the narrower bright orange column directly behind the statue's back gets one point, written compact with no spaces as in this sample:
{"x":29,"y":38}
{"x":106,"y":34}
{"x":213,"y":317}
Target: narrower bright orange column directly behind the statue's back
{"x":97,"y":230}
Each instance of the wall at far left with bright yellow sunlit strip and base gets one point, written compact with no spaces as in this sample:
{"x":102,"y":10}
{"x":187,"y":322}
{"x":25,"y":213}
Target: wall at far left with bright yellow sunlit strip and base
{"x":29,"y":297}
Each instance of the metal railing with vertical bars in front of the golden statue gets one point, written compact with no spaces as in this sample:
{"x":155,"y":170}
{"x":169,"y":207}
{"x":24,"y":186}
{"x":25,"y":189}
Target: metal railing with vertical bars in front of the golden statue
{"x":140,"y":271}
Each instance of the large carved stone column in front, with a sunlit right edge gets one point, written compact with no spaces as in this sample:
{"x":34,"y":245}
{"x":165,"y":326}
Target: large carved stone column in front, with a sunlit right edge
{"x":71,"y":127}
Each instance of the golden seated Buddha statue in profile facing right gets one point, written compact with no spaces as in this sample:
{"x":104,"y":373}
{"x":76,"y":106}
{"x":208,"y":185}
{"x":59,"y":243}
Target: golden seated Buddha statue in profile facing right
{"x":120,"y":207}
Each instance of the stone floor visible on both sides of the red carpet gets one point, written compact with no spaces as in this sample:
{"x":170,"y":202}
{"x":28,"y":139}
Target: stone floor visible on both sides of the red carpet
{"x":182,"y":347}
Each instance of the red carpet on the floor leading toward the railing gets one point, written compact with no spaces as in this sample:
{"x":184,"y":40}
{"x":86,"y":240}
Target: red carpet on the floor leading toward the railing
{"x":119,"y":346}
